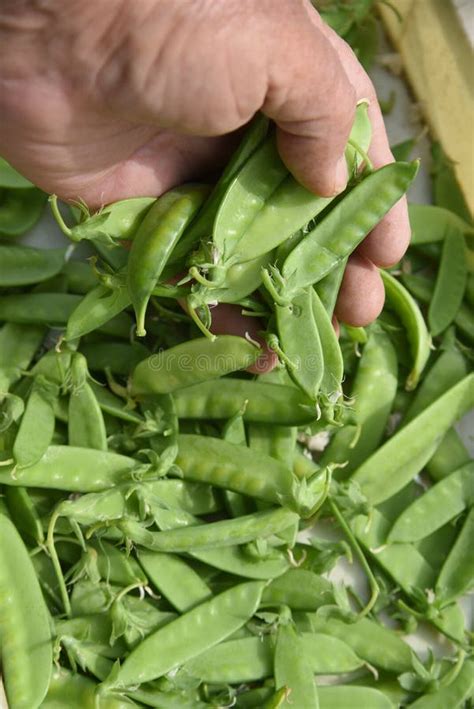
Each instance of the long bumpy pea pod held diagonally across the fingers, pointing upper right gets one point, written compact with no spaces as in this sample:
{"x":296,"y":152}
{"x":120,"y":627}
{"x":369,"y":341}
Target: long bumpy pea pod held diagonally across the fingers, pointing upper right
{"x":342,"y":230}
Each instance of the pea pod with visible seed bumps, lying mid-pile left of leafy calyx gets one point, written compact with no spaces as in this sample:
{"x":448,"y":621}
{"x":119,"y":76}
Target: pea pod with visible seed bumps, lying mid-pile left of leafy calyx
{"x":211,"y":460}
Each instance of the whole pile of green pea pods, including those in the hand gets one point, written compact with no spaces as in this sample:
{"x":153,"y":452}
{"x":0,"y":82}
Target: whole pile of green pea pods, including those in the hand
{"x":152,"y":490}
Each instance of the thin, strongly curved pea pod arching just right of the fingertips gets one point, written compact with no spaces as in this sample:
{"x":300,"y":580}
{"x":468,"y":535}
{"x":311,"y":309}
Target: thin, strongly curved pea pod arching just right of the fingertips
{"x":399,"y":300}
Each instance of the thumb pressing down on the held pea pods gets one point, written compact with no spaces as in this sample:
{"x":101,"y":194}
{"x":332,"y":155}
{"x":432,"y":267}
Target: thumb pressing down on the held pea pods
{"x":312,"y":102}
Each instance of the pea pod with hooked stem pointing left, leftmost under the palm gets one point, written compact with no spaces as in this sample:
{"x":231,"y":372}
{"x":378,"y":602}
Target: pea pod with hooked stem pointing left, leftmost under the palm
{"x":119,"y":220}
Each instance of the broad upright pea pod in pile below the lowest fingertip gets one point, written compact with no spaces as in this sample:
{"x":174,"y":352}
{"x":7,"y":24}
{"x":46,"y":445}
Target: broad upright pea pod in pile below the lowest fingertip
{"x":373,"y":392}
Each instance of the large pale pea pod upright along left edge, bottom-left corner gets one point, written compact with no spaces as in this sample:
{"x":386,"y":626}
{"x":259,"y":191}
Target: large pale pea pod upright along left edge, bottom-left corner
{"x":25,"y":637}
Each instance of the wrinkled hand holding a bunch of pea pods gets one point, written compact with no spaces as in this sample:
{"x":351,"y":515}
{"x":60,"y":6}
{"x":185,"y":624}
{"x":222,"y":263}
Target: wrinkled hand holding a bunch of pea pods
{"x":102,"y":100}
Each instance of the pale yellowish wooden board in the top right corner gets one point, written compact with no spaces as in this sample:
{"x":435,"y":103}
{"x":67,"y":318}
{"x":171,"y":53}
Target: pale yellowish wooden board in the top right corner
{"x":439,"y":63}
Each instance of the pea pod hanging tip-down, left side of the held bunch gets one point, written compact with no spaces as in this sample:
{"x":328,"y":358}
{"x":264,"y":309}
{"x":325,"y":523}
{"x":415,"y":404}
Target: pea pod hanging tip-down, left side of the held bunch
{"x":154,"y":241}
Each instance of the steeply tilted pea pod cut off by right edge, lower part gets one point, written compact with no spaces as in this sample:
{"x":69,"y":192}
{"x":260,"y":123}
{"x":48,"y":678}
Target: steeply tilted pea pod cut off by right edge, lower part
{"x":457,"y":574}
